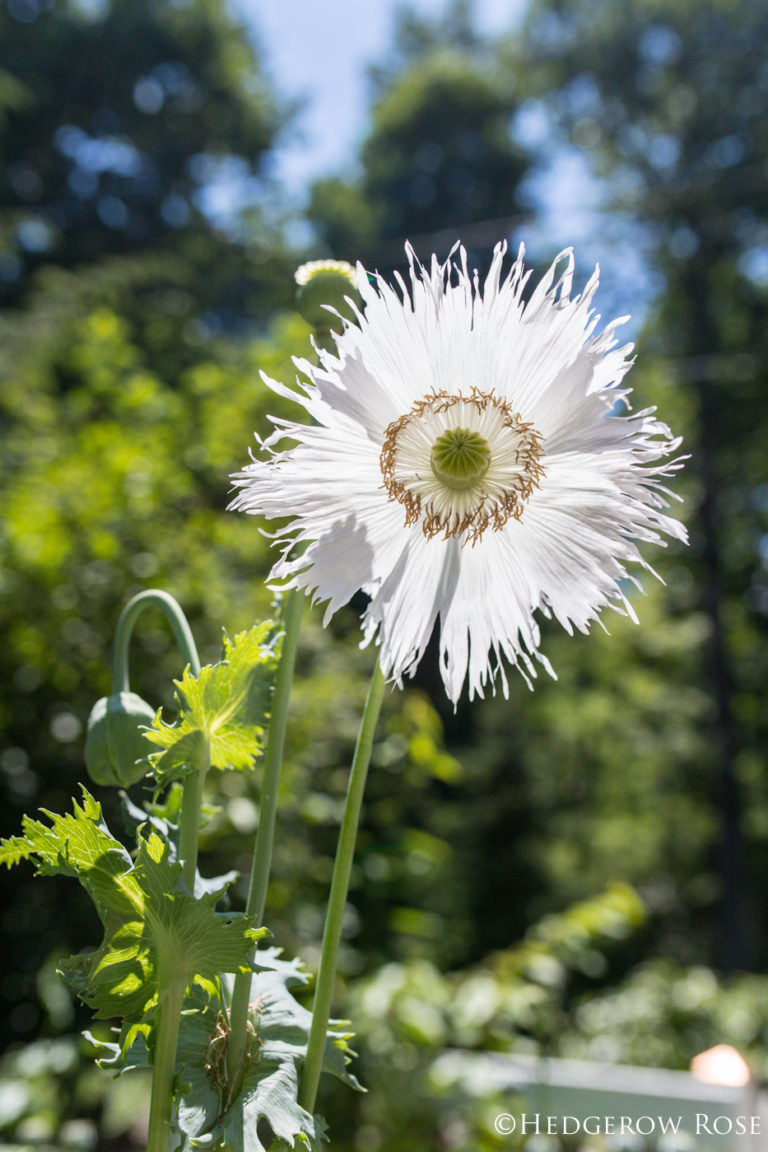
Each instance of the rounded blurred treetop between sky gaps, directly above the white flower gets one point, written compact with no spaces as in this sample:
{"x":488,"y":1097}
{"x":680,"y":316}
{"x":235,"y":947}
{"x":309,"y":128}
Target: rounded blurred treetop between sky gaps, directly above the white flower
{"x":439,"y":163}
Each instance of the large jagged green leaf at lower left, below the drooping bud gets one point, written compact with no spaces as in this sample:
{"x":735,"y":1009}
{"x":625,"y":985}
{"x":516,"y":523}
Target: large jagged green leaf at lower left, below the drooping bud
{"x":155,"y":933}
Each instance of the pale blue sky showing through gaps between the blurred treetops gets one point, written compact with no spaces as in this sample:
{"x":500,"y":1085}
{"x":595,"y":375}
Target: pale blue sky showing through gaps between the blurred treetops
{"x":318,"y":51}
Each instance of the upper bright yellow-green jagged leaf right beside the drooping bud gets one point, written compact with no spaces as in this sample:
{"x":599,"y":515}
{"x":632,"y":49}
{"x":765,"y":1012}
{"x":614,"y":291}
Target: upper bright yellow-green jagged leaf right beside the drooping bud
{"x":222,"y":713}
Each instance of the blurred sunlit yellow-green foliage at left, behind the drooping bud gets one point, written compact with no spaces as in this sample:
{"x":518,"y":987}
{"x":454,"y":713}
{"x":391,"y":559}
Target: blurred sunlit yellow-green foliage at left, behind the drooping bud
{"x":94,"y":487}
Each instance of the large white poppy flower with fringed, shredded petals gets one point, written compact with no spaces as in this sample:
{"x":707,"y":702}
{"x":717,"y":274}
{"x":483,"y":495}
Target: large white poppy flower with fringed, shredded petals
{"x":468,"y":465}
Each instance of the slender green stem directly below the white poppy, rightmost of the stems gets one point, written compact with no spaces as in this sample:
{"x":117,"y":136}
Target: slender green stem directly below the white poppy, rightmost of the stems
{"x":339,"y":891}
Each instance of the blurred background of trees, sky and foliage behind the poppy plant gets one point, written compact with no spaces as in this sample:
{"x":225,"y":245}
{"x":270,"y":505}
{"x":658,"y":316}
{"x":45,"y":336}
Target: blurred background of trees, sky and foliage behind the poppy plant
{"x":575,"y":871}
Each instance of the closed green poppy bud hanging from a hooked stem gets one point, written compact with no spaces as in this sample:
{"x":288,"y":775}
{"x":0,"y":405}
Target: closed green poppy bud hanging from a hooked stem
{"x":115,"y":742}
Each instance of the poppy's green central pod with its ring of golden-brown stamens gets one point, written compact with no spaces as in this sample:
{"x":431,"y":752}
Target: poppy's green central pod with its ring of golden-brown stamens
{"x":461,"y":465}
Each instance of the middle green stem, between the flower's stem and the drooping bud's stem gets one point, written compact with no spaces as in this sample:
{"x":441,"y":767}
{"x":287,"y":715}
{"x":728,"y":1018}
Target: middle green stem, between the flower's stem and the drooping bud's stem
{"x":262,"y":863}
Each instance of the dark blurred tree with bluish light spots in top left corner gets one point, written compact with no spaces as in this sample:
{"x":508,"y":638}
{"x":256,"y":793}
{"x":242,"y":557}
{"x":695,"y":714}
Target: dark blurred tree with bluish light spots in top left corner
{"x":131,"y":127}
